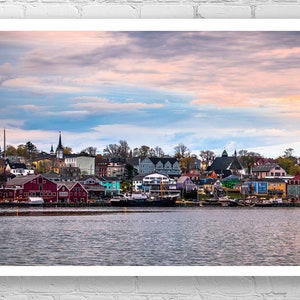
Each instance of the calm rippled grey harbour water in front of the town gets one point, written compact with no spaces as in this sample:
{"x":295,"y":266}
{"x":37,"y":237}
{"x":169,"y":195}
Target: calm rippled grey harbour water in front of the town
{"x":157,"y":237}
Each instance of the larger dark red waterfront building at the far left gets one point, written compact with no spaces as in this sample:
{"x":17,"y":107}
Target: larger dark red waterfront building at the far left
{"x":23,"y":187}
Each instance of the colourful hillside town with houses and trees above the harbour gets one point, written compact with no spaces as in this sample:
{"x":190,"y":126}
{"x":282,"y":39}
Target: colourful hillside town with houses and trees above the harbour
{"x":64,"y":178}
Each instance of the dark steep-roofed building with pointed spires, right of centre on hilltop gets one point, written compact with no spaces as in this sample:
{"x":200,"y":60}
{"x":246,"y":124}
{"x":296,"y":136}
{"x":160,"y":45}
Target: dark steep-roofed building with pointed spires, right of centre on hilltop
{"x":227,"y":165}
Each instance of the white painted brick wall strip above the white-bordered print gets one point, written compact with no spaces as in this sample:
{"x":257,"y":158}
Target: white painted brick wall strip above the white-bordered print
{"x":145,"y":9}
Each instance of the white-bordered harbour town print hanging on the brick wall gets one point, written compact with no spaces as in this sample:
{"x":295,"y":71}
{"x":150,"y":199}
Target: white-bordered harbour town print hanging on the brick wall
{"x":149,"y":147}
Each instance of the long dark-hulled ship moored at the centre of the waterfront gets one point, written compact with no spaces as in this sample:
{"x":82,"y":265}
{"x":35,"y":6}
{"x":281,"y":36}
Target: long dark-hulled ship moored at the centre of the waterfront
{"x":142,"y":200}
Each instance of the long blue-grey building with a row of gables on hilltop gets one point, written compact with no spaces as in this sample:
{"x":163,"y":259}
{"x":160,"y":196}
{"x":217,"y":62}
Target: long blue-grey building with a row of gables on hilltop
{"x":163,"y":165}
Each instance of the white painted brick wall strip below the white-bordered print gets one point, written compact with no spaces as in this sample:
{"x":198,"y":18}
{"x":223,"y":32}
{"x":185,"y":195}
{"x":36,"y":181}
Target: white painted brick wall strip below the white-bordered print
{"x":149,"y":288}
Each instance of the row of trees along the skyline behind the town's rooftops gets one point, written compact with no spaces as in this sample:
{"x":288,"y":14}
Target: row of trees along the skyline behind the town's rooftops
{"x":187,"y":159}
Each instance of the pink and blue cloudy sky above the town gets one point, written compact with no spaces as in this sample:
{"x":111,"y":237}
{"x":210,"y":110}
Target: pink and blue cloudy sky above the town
{"x":208,"y":90}
